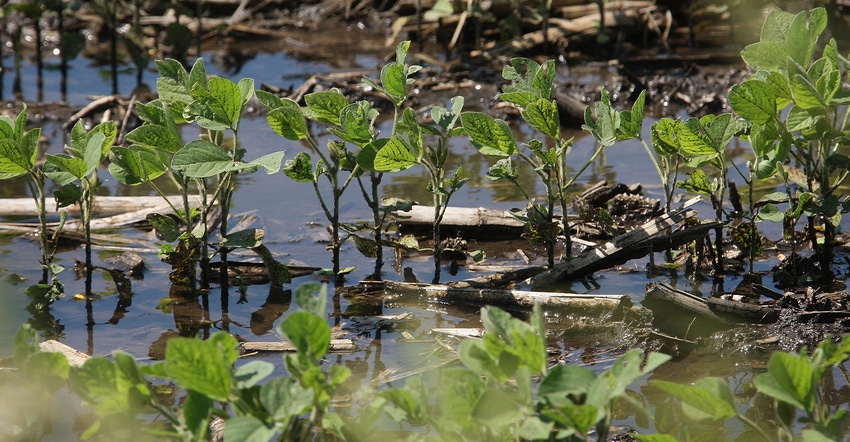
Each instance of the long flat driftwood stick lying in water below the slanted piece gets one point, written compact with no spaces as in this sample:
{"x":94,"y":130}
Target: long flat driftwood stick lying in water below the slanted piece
{"x":503,"y":297}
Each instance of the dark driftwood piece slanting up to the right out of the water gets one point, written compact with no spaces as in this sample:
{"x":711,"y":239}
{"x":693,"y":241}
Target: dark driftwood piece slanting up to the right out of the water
{"x":614,"y":252}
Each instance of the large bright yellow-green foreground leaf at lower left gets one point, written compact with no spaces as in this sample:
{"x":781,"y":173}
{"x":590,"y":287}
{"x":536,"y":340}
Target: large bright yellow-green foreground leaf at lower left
{"x":202,"y":366}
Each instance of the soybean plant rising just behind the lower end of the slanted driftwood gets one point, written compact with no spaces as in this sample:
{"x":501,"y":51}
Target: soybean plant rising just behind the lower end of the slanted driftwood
{"x":532,"y":90}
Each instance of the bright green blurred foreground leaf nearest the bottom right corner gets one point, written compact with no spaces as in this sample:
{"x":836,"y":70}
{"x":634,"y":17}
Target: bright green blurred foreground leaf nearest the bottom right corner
{"x":789,"y":378}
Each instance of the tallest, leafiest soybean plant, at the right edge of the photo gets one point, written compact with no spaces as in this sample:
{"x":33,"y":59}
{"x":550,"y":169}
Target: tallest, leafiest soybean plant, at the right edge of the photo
{"x":796,"y":107}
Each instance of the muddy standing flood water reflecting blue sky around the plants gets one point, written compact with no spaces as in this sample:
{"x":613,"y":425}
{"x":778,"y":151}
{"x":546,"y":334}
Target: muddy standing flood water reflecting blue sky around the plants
{"x":392,"y":334}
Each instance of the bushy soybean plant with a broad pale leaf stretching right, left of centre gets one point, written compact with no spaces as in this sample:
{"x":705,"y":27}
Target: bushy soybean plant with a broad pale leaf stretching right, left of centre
{"x":216,"y":105}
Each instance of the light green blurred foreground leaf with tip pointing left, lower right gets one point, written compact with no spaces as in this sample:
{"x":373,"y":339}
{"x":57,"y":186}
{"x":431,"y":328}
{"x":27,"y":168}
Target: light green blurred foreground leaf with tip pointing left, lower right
{"x":708,"y":398}
